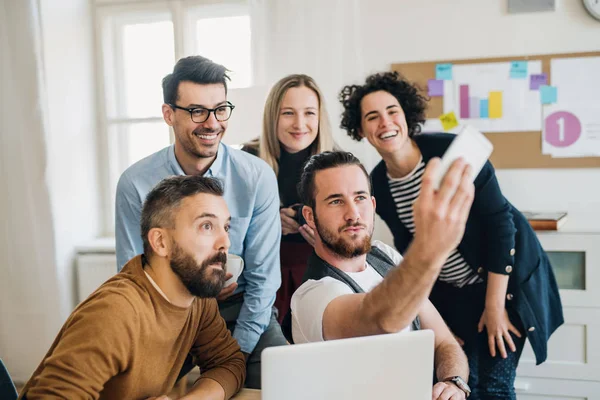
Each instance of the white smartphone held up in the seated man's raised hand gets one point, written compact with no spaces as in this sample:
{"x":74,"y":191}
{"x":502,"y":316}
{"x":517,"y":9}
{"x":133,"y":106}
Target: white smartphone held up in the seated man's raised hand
{"x":472,"y":146}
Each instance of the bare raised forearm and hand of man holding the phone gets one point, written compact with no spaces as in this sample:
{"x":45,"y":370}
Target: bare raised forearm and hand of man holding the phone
{"x":440,"y":218}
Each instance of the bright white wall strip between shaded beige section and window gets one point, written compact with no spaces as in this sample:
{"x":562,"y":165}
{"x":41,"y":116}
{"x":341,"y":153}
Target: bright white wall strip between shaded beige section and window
{"x":71,"y":136}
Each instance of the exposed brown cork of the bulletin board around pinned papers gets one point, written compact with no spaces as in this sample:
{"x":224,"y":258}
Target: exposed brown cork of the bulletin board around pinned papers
{"x":511,"y":149}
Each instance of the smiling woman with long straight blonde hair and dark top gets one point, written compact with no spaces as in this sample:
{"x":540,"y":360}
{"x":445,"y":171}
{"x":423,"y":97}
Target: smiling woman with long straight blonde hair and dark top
{"x":295,"y":126}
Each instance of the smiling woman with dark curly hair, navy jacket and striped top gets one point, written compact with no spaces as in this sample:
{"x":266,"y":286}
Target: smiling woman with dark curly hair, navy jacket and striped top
{"x":497,"y":288}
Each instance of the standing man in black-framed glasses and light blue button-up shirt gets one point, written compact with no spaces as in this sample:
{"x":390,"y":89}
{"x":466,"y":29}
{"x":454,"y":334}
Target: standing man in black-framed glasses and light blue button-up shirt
{"x":196,"y":107}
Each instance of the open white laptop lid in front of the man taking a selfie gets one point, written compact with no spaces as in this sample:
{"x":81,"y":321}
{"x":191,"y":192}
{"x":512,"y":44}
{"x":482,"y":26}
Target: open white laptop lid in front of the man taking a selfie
{"x":394,"y":366}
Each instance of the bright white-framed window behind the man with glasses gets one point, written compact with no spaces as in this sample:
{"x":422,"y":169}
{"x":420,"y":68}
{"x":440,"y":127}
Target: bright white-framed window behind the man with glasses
{"x":139,"y":44}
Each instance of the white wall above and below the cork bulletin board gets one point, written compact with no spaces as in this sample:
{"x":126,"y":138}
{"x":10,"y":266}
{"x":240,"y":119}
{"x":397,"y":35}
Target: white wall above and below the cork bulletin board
{"x":427,"y":30}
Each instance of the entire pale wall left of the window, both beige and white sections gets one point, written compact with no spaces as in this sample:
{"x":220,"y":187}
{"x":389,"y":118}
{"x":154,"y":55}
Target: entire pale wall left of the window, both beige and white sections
{"x":49,"y":172}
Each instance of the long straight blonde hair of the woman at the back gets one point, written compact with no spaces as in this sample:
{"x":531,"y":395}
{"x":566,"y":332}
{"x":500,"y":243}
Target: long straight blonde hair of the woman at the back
{"x":269,"y":147}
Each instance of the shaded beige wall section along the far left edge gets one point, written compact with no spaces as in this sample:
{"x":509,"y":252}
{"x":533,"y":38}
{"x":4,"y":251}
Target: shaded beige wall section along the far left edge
{"x":28,"y":287}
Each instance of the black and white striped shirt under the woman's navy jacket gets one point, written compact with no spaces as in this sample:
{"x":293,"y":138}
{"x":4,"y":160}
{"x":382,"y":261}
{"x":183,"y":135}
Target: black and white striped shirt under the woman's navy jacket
{"x":405,"y":191}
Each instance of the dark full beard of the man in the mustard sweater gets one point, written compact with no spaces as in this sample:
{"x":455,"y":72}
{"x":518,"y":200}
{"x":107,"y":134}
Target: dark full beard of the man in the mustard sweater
{"x":201,"y":280}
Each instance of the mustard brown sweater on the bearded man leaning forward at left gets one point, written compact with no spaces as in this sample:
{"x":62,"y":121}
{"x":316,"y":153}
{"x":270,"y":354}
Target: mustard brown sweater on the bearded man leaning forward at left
{"x":126,"y":341}
